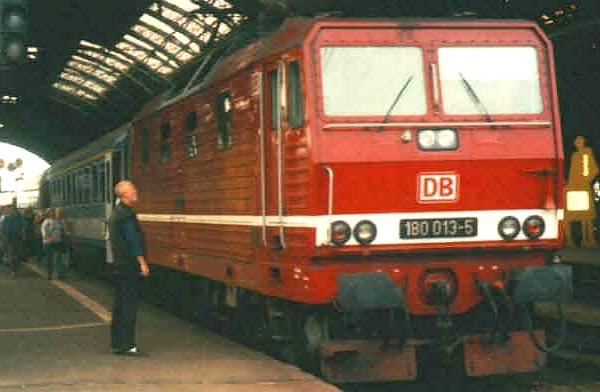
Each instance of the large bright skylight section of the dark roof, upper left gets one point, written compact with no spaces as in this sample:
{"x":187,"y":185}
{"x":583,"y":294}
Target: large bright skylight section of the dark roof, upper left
{"x":169,"y":35}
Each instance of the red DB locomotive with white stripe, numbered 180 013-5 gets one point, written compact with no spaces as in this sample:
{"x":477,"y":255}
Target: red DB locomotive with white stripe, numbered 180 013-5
{"x":364,"y":190}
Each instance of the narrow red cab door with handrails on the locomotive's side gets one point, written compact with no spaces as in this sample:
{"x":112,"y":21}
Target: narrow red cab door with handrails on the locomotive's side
{"x":272,"y":147}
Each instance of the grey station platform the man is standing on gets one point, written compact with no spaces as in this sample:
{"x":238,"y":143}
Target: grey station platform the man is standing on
{"x":54,"y":336}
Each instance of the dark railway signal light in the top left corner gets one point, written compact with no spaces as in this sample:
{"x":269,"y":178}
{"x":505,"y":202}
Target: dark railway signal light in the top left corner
{"x":13,"y":31}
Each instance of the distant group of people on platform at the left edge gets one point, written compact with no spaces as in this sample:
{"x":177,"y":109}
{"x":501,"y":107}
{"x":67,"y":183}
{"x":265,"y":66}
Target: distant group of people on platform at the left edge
{"x":26,"y":234}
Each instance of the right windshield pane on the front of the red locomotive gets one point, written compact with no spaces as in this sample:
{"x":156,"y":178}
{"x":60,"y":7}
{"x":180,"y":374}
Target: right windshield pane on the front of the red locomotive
{"x":490,"y":80}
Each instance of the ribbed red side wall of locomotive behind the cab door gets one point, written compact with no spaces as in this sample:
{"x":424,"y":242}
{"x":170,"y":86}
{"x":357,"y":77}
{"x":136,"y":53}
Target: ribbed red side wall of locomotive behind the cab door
{"x":192,"y":201}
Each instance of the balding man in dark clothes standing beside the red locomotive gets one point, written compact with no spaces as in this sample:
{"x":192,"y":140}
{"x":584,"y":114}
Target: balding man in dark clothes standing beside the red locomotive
{"x":127,"y":245}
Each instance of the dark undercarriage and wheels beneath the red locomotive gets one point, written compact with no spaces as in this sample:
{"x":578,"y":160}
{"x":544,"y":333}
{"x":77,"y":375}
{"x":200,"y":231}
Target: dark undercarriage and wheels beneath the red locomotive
{"x":352,"y":345}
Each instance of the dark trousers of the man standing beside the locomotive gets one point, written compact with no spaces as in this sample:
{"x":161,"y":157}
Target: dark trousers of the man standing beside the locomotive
{"x":122,"y":328}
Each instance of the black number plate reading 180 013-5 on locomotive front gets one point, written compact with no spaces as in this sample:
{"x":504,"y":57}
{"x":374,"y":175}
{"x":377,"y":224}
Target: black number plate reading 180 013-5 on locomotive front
{"x":438,"y":228}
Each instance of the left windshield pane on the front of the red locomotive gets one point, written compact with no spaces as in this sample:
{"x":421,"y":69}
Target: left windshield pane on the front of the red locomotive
{"x":373,"y":81}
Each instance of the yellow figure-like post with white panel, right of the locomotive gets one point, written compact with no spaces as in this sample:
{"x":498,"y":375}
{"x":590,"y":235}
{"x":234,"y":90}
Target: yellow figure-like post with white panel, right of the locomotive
{"x":579,"y":206}
